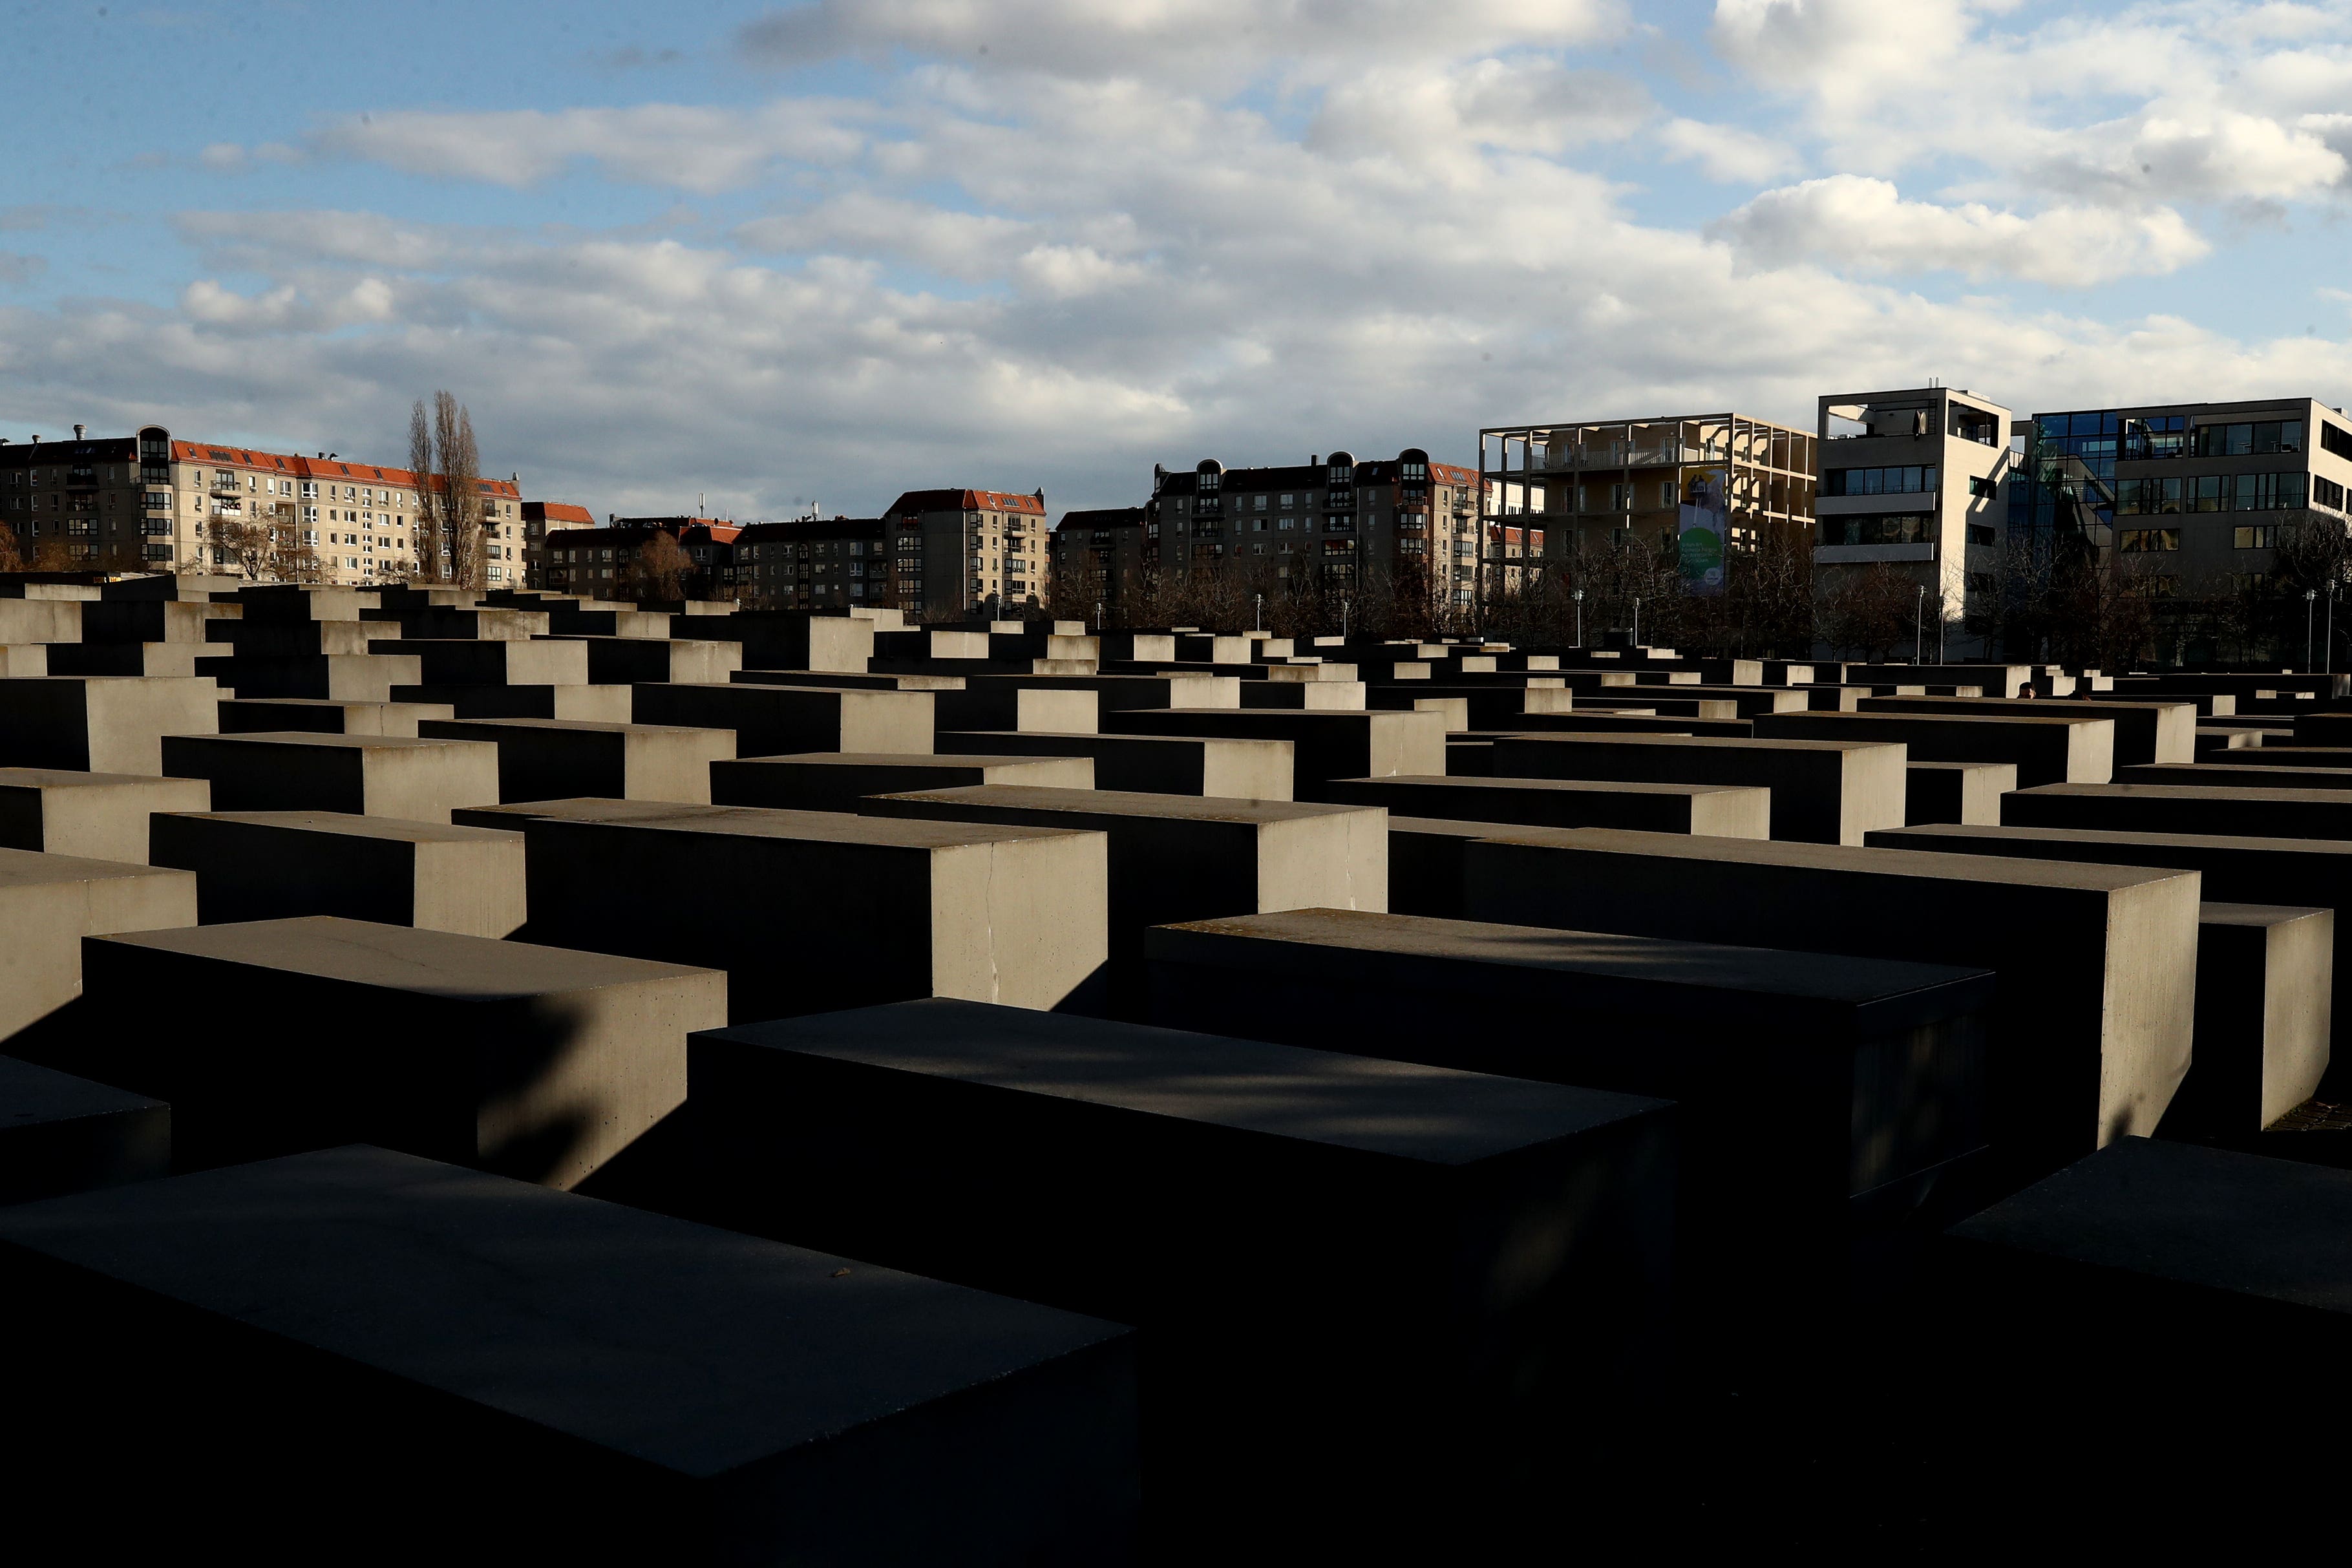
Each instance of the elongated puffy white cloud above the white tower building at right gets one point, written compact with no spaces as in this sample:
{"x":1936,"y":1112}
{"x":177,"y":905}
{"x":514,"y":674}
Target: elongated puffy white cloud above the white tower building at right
{"x":1859,"y":225}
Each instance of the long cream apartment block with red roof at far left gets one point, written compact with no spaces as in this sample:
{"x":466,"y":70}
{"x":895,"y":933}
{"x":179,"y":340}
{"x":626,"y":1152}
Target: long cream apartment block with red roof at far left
{"x":161,"y":504}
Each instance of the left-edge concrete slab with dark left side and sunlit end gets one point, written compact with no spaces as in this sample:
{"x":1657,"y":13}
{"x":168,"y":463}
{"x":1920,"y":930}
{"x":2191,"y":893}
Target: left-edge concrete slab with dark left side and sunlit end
{"x":102,"y":723}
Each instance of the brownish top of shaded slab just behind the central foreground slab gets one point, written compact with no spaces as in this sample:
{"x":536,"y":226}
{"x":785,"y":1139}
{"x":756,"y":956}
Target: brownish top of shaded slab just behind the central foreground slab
{"x":1645,"y":963}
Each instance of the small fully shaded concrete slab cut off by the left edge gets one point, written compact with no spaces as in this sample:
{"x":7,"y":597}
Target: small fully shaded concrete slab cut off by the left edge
{"x":65,"y":1134}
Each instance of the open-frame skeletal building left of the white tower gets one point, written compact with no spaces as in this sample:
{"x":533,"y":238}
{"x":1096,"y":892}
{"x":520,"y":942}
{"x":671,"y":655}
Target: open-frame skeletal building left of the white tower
{"x":1615,"y":483}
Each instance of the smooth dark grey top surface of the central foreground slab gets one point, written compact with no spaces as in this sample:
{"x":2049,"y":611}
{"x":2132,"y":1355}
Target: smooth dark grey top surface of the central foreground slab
{"x":1403,"y":1111}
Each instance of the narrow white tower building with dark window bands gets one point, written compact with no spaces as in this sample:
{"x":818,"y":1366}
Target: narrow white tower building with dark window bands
{"x":1913,"y":481}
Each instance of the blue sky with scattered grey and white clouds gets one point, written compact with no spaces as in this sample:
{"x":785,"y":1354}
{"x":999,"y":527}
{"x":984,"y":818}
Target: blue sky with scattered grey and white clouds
{"x":843,"y":248}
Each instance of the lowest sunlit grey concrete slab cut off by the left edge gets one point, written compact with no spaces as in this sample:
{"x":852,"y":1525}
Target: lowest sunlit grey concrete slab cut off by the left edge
{"x":51,"y":904}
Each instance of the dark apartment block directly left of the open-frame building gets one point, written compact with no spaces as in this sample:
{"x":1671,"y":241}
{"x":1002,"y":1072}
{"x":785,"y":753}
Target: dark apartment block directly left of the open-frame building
{"x":1335,"y":518}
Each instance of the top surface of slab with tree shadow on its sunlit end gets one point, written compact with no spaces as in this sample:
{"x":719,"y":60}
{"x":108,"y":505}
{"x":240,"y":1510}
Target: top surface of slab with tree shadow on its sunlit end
{"x":406,"y":958}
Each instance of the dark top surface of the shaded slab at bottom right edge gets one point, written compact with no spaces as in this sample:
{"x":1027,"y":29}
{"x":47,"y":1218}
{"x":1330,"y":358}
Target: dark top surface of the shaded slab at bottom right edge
{"x":2217,"y":1219}
